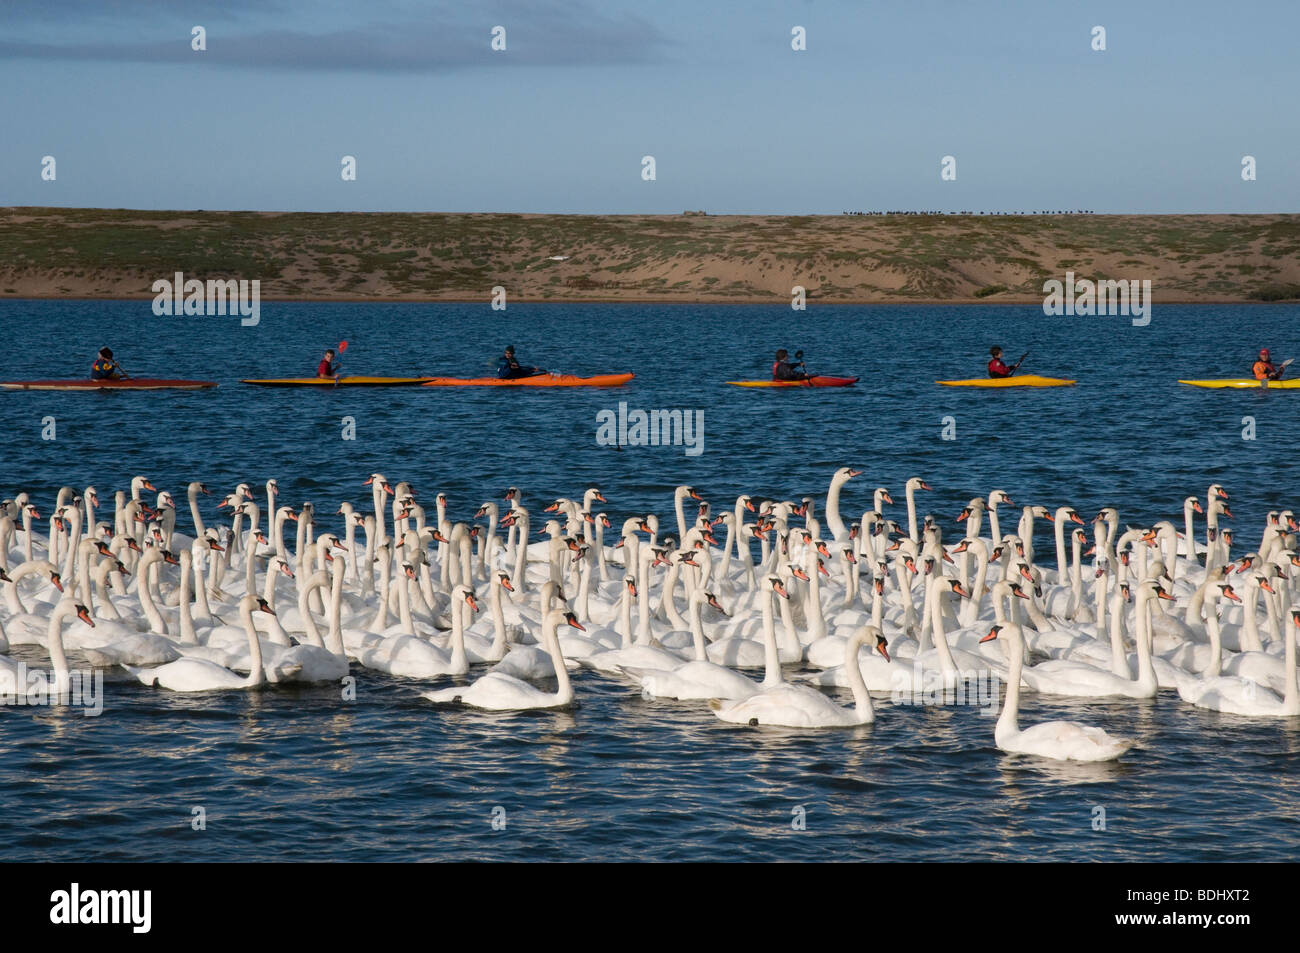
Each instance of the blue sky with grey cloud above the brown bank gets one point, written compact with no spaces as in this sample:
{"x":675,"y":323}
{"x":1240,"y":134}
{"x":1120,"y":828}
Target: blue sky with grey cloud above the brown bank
{"x":736,"y":120}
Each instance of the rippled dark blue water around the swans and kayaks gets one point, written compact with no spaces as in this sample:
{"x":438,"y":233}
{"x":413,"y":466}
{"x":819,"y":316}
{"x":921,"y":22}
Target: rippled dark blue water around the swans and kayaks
{"x":300,"y":776}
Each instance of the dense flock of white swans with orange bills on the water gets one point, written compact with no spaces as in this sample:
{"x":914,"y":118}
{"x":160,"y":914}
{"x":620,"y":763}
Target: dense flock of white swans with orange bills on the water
{"x":791,"y":594}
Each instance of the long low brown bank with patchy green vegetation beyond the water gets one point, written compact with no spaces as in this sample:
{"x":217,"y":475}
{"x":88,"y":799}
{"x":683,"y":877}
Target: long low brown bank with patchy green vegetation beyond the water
{"x":688,"y":258}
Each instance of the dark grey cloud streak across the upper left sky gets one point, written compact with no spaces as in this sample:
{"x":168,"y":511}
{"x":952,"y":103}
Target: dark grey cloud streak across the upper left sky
{"x":539,"y":34}
